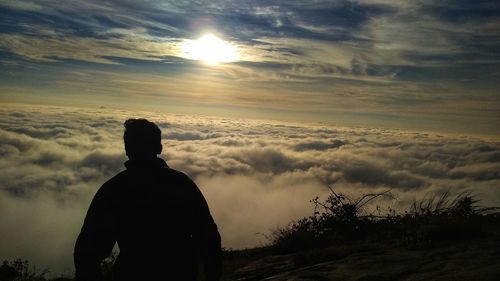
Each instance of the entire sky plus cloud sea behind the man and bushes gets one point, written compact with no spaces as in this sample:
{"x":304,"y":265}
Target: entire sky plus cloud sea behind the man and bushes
{"x":293,"y":96}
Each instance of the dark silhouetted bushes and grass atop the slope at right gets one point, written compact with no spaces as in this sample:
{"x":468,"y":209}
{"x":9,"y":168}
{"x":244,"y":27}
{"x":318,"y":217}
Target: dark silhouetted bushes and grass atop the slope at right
{"x":434,"y":218}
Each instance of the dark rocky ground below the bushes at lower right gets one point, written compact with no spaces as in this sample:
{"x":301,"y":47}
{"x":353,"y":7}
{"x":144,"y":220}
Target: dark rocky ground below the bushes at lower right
{"x":469,"y":260}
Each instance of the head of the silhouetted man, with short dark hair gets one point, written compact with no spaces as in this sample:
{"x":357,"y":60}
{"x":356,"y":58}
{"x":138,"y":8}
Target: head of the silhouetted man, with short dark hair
{"x":142,"y":139}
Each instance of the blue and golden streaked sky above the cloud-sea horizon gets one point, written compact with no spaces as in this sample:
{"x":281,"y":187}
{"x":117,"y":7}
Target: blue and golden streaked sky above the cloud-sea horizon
{"x":408,"y":64}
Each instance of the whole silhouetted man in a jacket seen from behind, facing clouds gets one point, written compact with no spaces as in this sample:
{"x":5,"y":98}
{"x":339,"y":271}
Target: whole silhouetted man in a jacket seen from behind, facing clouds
{"x":157,"y":215}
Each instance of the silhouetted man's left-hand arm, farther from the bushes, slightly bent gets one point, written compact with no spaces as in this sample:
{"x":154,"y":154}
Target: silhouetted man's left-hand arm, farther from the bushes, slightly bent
{"x":96,"y":239}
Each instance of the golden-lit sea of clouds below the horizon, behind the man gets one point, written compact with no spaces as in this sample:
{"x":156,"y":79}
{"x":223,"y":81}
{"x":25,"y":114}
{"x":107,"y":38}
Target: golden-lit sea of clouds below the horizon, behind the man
{"x":256,"y":175}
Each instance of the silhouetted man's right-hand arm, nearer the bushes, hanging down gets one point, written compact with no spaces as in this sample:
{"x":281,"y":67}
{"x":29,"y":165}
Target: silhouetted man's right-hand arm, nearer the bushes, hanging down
{"x":207,"y":237}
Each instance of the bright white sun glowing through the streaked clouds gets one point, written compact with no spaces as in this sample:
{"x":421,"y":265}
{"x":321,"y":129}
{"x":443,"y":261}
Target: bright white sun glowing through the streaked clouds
{"x":210,"y":49}
